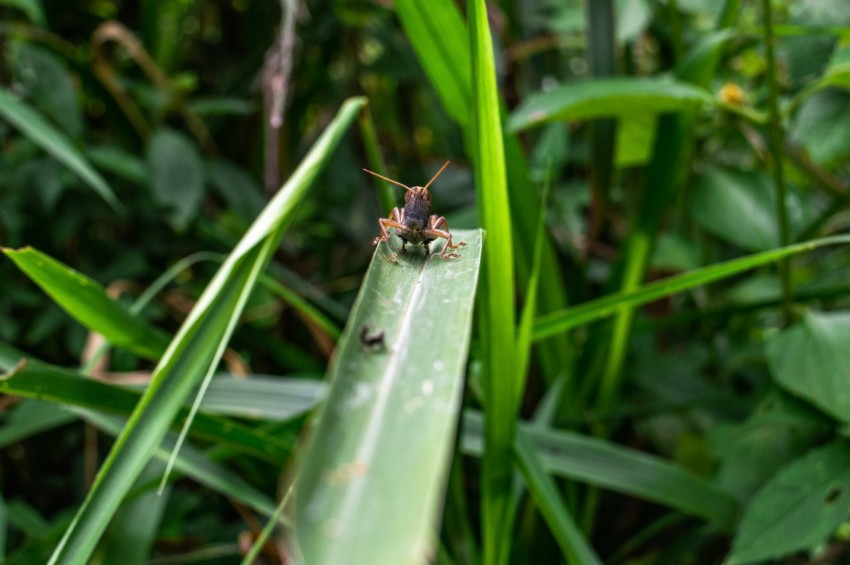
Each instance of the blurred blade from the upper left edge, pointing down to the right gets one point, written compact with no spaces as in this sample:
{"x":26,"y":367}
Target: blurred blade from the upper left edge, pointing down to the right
{"x":43,"y":134}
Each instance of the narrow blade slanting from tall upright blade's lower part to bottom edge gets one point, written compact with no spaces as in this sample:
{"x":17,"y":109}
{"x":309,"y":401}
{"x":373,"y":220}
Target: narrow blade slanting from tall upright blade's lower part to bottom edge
{"x":548,"y":500}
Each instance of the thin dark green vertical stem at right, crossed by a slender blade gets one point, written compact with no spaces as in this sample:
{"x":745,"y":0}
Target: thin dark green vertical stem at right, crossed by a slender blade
{"x":776,"y":148}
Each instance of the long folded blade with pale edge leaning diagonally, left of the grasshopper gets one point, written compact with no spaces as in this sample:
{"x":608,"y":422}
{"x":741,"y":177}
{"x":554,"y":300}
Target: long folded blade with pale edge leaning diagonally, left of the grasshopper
{"x":195,"y":349}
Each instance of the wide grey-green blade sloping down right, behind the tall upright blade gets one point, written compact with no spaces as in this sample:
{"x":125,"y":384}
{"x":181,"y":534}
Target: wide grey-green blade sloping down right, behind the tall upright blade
{"x":605,"y":464}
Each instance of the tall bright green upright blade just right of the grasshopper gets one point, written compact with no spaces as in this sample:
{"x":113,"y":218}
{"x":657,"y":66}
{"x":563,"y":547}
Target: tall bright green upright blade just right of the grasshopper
{"x":497,"y":321}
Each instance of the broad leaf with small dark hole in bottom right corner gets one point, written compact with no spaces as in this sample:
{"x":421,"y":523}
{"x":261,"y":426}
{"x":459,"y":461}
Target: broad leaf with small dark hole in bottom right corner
{"x":799,"y":508}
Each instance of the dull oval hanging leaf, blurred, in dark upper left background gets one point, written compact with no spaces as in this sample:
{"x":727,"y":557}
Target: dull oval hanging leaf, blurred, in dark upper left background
{"x":177,"y":175}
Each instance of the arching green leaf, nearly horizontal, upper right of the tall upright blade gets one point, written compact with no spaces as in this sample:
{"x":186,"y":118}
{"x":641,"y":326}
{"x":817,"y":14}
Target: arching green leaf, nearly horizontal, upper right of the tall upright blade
{"x":606,"y":97}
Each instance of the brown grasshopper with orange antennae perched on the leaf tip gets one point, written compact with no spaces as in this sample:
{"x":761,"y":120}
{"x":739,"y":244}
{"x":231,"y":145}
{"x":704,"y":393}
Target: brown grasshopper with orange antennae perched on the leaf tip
{"x":414,"y":223}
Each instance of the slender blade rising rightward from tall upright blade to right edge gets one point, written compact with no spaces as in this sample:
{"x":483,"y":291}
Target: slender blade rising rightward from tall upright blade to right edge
{"x":611,"y":304}
